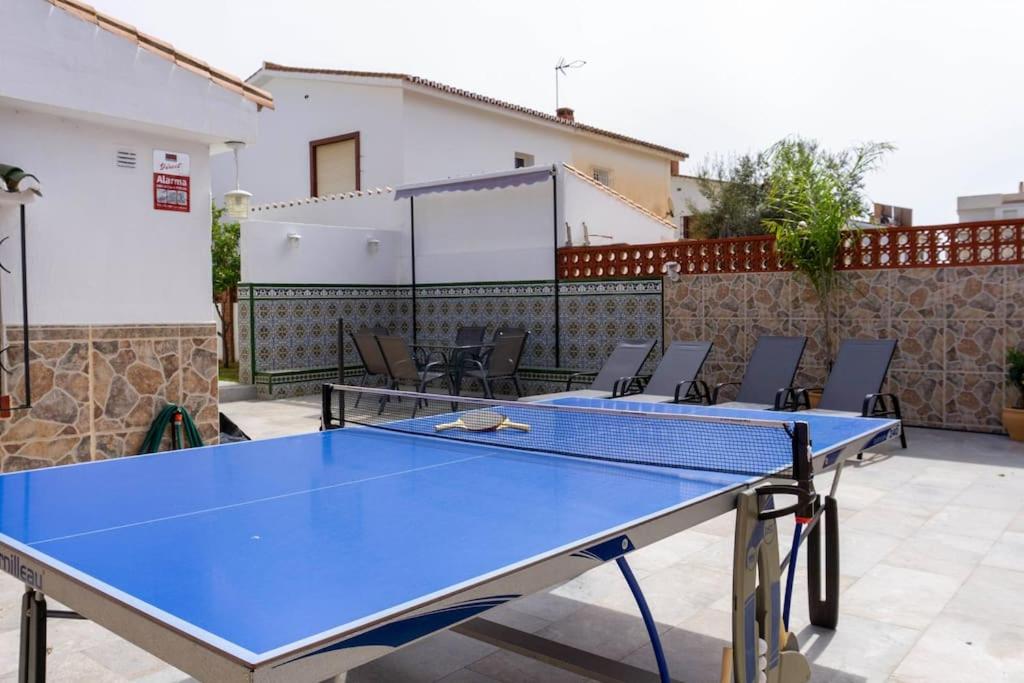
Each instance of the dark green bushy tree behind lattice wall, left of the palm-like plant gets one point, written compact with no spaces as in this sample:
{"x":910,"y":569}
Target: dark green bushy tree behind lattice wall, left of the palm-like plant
{"x":737,"y":192}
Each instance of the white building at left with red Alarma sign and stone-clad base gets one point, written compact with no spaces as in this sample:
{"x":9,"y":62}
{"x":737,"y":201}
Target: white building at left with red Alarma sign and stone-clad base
{"x":119,"y":129}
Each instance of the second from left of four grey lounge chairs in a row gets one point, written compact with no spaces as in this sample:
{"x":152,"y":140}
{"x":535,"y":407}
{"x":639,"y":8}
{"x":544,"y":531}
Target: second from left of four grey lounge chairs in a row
{"x":675,"y":379}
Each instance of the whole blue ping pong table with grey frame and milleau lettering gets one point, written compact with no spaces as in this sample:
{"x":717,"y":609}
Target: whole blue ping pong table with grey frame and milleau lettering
{"x":302,"y":558}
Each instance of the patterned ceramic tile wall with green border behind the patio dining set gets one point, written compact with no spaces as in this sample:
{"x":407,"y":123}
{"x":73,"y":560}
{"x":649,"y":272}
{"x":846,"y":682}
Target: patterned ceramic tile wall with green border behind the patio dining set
{"x":288,"y":334}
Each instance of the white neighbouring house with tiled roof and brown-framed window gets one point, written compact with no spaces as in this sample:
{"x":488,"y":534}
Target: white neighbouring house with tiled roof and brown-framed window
{"x":334,"y":132}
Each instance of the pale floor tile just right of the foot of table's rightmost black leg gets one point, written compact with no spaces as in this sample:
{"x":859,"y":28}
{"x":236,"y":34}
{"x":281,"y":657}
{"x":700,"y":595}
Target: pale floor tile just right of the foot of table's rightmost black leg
{"x":898,"y":595}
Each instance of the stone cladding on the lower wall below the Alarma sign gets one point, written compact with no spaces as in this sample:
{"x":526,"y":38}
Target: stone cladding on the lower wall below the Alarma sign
{"x":96,"y":390}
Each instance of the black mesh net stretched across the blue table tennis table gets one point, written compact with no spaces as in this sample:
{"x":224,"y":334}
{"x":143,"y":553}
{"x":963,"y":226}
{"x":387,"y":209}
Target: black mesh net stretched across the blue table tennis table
{"x":651,"y":437}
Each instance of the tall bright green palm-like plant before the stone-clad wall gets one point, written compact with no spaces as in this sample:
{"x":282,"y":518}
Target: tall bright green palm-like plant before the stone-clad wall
{"x":814,"y":198}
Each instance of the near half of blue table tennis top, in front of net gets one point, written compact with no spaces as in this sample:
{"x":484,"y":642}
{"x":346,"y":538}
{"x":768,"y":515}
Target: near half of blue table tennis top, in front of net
{"x":267,"y":543}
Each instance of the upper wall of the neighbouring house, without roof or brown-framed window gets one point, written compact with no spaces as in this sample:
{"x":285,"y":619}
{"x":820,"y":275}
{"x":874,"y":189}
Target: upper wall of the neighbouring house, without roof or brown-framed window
{"x":409,"y":135}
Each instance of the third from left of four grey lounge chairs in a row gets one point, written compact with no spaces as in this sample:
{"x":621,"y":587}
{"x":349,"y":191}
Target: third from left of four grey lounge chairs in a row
{"x":773,"y":367}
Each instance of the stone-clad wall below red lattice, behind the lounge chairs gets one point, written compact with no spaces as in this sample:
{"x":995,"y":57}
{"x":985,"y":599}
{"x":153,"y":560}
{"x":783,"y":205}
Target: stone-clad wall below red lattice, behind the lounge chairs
{"x":954,"y":327}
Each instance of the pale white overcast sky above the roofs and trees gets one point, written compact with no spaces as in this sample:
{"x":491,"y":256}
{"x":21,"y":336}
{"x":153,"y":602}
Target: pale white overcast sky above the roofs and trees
{"x":943,"y":80}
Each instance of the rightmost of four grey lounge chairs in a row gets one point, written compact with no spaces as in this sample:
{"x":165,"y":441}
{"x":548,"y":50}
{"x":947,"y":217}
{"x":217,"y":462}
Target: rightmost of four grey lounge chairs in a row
{"x":855,"y":385}
